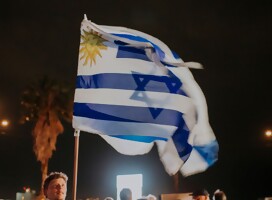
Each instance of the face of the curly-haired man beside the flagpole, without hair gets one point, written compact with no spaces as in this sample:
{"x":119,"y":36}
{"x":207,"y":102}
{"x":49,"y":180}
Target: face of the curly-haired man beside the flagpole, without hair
{"x":56,"y":189}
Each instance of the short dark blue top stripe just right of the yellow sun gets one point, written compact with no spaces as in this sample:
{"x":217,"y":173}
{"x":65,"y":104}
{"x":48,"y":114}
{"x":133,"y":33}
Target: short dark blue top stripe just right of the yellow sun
{"x":131,"y":52}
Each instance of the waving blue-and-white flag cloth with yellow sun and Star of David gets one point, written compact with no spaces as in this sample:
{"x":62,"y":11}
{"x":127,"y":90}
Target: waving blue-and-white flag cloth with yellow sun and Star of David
{"x":133,"y":91}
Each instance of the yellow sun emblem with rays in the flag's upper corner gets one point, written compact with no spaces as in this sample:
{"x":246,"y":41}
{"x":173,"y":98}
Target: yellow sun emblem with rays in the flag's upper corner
{"x":90,"y":47}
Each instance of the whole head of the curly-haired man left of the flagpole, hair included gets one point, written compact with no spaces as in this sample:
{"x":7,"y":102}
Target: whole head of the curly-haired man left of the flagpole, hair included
{"x":55,"y":186}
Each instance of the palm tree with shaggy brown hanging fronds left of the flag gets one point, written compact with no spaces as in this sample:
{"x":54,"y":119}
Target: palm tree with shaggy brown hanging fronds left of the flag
{"x":46,"y":103}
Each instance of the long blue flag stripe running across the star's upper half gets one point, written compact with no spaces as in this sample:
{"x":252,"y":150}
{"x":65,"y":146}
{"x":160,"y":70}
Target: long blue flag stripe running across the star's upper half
{"x":136,"y":82}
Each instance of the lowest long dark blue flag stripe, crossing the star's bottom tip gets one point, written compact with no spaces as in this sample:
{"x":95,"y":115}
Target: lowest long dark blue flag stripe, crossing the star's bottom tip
{"x":128,"y":114}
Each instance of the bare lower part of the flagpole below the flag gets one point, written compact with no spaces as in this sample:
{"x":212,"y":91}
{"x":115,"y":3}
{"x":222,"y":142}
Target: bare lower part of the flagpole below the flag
{"x":76,"y":134}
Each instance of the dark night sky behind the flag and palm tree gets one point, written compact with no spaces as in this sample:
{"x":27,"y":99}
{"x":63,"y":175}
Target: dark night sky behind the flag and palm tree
{"x":232,"y":39}
